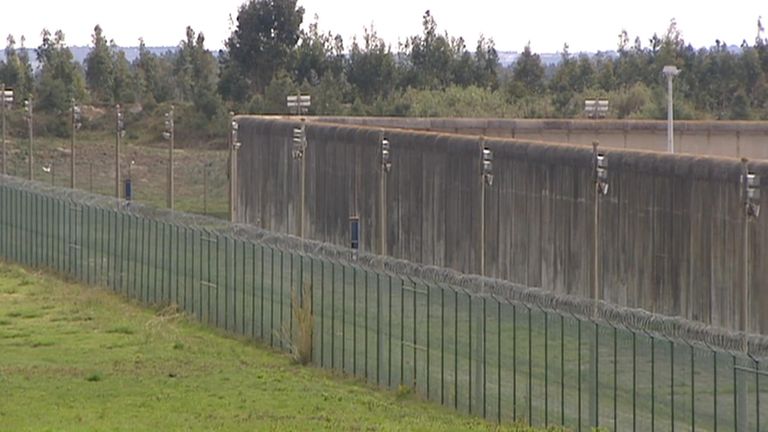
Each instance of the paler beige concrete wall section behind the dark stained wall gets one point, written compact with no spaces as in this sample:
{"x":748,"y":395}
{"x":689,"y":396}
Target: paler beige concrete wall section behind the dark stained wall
{"x":714,"y":138}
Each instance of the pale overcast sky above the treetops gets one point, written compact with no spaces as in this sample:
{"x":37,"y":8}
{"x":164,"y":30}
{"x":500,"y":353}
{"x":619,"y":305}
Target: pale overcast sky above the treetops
{"x":585,"y":26}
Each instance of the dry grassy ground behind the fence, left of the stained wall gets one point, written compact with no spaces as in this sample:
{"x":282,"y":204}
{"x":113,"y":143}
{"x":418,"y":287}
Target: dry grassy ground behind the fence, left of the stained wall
{"x":201,"y":180}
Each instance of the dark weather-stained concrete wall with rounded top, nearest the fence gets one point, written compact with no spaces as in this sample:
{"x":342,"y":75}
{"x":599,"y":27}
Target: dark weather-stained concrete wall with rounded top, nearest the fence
{"x":671,"y":232}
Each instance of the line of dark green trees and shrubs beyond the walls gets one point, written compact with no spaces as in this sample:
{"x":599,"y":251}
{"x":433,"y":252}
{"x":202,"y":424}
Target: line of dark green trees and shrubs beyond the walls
{"x":268,"y":56}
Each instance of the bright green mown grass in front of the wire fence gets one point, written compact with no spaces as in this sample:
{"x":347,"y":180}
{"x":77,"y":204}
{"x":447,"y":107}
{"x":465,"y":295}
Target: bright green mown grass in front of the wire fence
{"x":76,"y":358}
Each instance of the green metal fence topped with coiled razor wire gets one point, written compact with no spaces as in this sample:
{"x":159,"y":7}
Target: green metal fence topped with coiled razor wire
{"x":480,"y":346}
